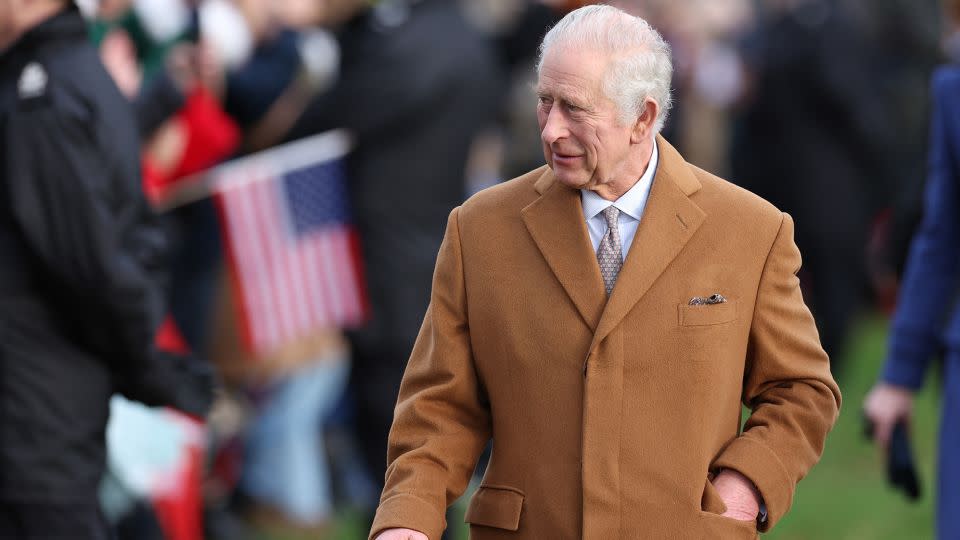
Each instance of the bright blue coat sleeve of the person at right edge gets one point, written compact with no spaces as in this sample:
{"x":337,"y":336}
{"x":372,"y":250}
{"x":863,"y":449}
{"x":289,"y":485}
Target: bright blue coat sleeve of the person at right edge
{"x":933,"y":266}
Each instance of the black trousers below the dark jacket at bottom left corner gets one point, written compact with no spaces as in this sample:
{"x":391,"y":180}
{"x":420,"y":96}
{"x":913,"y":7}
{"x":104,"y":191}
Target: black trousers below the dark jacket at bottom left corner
{"x":33,"y":521}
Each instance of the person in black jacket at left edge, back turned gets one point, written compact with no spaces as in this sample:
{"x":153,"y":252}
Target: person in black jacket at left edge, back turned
{"x":81,"y":293}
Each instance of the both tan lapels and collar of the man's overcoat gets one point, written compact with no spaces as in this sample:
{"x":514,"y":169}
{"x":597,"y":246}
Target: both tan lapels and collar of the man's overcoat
{"x":556,"y":223}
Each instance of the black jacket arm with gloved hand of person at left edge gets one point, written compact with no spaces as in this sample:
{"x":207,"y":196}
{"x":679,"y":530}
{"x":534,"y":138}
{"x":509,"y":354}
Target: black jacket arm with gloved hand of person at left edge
{"x":79,"y":207}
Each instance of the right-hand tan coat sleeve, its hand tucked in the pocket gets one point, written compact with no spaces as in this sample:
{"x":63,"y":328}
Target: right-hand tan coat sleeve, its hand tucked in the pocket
{"x":793,"y":399}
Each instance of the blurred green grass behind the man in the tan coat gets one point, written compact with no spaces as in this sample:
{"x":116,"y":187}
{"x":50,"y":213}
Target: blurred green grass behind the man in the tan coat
{"x":845,"y":497}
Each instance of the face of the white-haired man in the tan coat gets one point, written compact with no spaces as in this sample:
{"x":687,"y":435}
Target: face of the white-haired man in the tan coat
{"x":583,"y":139}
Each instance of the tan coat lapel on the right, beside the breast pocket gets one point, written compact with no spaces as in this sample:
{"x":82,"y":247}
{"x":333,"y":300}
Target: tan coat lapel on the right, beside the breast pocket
{"x":669,"y":221}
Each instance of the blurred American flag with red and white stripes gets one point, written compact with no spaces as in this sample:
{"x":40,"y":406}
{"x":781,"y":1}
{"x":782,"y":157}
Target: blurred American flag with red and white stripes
{"x":292,"y":250}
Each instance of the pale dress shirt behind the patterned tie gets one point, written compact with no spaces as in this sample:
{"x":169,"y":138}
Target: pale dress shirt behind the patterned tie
{"x":630,"y":204}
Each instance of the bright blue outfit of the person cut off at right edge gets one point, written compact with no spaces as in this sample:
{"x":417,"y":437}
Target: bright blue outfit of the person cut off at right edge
{"x":928,"y":297}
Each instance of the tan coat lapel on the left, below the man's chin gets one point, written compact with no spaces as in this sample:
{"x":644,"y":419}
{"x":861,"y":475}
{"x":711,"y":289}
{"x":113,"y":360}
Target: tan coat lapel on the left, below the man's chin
{"x":557,"y":225}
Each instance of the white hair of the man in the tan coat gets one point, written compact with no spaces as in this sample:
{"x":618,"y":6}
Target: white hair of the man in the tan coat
{"x":641,"y":67}
